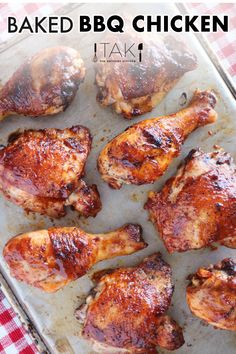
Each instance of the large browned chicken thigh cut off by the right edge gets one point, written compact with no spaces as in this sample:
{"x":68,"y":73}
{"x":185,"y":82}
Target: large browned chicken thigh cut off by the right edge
{"x":198,"y":205}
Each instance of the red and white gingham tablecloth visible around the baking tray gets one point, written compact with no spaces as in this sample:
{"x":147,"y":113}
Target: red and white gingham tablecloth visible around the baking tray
{"x":13,"y":337}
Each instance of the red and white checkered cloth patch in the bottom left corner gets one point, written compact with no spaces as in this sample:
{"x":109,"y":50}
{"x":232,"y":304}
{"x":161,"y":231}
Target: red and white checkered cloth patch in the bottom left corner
{"x":13,"y":337}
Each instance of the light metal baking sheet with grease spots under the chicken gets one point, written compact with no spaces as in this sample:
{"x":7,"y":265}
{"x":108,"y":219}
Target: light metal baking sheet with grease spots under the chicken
{"x":53,"y":315}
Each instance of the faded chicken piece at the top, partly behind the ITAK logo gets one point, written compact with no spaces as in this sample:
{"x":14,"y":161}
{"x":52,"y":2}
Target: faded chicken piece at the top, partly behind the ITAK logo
{"x":136,"y":88}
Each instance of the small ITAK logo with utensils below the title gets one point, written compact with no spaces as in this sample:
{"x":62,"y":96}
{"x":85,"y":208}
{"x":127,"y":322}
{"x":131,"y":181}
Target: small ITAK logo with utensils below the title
{"x":117,"y":53}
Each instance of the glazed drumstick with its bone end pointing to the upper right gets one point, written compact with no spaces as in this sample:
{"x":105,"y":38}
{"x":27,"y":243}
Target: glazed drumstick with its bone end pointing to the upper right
{"x":143,"y":152}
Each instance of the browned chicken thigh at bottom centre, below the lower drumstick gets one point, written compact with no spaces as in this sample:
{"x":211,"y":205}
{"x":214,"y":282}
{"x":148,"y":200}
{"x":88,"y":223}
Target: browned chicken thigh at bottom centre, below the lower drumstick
{"x":125,"y":312}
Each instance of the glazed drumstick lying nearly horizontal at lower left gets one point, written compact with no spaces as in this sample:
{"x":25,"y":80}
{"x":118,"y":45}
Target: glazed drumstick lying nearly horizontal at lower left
{"x":50,"y":259}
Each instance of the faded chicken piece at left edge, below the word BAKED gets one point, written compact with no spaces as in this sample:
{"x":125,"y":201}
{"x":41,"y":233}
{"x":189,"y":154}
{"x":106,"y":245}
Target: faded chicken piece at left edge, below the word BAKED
{"x":44,"y":85}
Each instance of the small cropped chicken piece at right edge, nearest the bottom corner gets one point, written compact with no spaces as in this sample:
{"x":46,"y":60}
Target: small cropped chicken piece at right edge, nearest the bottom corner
{"x":211,"y":294}
